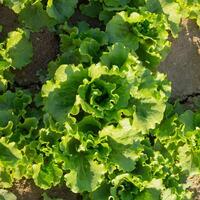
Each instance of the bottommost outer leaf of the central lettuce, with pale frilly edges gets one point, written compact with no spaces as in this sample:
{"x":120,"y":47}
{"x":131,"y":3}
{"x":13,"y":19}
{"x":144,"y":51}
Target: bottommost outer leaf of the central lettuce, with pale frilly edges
{"x":84,"y":172}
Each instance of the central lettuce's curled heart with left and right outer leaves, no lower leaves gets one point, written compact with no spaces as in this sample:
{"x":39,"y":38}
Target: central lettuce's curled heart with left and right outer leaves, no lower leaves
{"x":108,"y":93}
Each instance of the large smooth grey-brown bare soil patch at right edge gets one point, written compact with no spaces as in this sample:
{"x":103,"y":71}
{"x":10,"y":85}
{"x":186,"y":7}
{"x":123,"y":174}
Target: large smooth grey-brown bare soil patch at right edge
{"x":183,"y":62}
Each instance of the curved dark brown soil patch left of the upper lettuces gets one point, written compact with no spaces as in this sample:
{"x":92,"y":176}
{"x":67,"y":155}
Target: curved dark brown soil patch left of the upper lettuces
{"x":45,"y":48}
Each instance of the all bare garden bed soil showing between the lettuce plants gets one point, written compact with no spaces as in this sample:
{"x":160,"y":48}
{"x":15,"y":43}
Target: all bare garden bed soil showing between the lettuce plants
{"x":182,"y":66}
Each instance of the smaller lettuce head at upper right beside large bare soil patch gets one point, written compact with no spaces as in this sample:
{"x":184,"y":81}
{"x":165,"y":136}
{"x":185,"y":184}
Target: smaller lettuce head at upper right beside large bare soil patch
{"x":144,"y":33}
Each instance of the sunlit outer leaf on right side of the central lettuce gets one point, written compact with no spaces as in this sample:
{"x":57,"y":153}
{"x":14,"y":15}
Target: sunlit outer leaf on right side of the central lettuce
{"x":149,"y":108}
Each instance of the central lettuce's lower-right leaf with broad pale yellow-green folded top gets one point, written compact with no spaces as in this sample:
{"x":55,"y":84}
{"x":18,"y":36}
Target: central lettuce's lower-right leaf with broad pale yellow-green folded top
{"x":125,"y":145}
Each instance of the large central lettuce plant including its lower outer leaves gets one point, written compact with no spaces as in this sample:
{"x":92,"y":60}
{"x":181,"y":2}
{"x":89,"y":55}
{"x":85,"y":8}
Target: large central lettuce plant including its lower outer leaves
{"x":103,"y":113}
